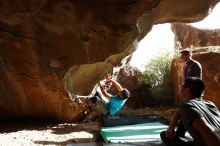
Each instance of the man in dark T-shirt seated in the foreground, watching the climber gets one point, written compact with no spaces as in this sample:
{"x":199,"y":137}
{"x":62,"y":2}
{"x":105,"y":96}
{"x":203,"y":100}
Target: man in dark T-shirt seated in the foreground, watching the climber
{"x":200,"y":118}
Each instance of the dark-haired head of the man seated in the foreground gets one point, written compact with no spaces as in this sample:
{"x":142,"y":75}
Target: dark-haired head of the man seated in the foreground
{"x":192,"y":87}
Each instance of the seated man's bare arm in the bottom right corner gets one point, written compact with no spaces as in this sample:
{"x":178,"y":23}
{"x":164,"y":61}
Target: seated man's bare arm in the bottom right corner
{"x":209,"y":134}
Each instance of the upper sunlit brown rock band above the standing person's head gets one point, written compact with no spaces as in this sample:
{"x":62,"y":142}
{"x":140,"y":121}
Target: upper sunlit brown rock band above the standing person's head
{"x":188,"y":36}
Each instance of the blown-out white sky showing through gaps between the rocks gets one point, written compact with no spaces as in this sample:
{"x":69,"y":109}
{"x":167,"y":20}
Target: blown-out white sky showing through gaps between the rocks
{"x":161,"y":38}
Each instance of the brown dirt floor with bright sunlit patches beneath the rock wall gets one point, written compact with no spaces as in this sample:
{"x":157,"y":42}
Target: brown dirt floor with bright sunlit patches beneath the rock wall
{"x":31,"y":134}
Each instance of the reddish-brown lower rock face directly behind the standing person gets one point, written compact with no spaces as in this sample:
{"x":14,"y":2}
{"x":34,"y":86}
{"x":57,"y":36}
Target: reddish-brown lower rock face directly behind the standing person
{"x":210,"y":75}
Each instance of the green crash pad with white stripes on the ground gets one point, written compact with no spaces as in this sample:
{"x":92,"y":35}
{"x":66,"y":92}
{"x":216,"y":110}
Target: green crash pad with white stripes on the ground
{"x":145,"y":132}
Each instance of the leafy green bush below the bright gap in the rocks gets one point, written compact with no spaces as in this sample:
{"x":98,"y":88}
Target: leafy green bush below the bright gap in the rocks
{"x":157,"y":76}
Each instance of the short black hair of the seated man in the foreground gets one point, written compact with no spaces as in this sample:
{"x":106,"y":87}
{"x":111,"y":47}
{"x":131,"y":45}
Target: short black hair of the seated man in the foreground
{"x":196,"y":86}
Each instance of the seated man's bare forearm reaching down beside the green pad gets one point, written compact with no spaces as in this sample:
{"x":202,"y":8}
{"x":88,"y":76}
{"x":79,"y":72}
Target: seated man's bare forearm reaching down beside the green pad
{"x":173,"y":122}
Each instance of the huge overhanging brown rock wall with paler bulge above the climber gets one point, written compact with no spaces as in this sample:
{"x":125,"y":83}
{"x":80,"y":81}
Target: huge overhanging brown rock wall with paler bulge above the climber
{"x":46,"y":44}
